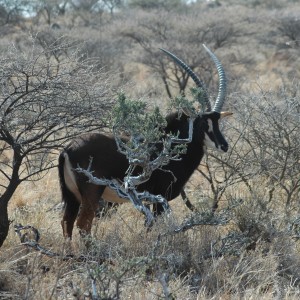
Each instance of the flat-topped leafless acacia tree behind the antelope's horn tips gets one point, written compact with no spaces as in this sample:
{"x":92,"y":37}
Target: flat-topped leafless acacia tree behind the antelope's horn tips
{"x":183,"y":35}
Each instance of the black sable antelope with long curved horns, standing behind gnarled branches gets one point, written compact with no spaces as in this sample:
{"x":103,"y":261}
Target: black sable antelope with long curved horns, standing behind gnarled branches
{"x":82,"y":198}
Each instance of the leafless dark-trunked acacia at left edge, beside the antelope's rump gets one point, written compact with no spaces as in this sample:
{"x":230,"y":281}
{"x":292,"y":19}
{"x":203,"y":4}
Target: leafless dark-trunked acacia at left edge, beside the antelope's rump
{"x":43,"y":102}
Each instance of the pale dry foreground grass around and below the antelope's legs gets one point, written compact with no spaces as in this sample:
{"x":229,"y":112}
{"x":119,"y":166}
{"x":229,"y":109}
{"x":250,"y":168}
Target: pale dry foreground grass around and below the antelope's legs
{"x":136,"y":260}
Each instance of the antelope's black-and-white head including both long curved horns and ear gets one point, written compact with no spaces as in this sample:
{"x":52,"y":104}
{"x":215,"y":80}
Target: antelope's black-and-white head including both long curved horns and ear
{"x":208,"y":122}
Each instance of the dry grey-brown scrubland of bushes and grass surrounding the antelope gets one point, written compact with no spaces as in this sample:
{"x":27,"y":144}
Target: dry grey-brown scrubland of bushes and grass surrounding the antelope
{"x":70,"y":59}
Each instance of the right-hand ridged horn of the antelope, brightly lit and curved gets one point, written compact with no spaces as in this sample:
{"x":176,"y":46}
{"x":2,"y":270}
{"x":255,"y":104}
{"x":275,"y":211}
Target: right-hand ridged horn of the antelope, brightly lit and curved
{"x":222,"y":81}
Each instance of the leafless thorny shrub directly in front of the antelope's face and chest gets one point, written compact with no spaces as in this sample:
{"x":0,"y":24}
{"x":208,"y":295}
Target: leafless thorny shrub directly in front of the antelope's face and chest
{"x":264,"y":147}
